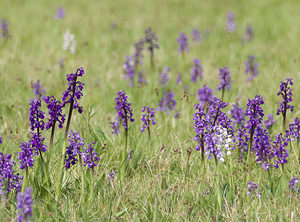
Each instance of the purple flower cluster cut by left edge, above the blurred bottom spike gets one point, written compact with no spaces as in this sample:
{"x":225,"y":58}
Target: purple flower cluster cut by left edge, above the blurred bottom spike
{"x":9,"y":179}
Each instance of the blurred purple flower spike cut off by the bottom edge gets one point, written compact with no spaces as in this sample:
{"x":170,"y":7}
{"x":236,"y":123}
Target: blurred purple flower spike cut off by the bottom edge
{"x":24,"y":205}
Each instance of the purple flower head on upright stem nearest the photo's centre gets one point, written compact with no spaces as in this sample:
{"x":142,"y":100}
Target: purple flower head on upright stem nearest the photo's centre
{"x":124,"y":111}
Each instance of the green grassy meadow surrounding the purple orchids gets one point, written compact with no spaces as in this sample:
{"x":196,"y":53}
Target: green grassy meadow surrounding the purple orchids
{"x":156,"y":186}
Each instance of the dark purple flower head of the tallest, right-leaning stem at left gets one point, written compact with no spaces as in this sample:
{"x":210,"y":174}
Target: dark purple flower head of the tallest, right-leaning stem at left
{"x":74,"y":90}
